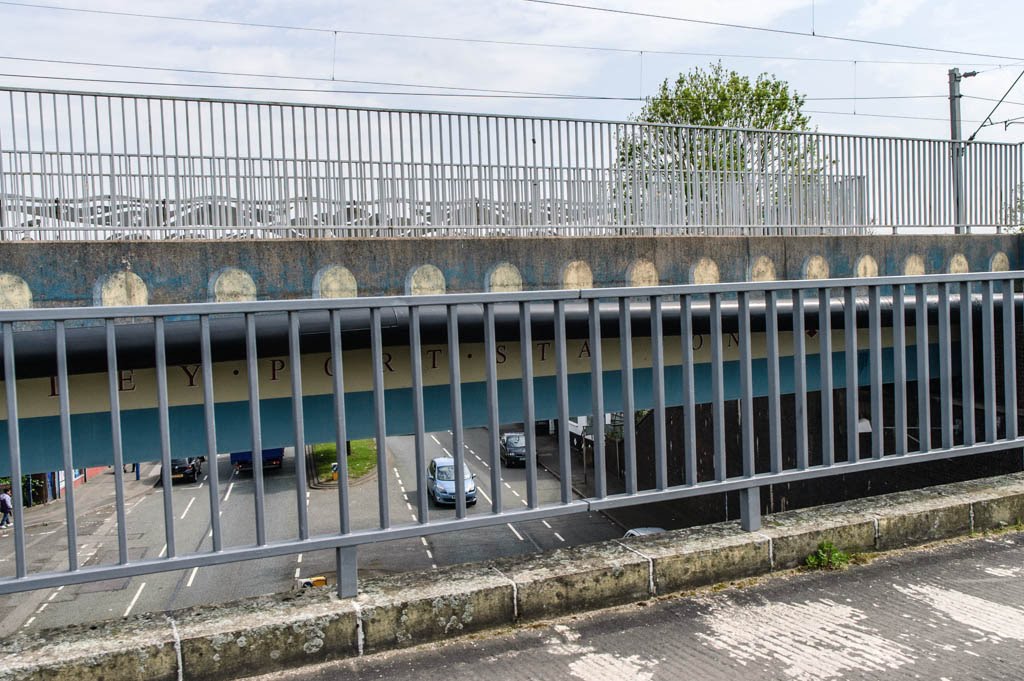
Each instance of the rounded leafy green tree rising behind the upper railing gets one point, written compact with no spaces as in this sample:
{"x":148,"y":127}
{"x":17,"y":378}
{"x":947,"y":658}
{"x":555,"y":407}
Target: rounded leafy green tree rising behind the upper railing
{"x":716,"y":147}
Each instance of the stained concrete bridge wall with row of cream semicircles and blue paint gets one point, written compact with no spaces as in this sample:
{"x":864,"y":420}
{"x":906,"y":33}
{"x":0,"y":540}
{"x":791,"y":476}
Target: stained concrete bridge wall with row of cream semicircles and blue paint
{"x":49,"y":275}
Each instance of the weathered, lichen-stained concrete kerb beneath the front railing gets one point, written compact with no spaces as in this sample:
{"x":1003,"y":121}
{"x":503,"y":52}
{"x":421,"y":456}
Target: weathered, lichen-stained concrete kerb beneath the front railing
{"x":289,"y":630}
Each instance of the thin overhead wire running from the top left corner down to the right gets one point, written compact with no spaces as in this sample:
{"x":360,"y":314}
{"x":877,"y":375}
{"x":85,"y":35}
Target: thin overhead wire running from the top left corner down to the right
{"x":482,"y":41}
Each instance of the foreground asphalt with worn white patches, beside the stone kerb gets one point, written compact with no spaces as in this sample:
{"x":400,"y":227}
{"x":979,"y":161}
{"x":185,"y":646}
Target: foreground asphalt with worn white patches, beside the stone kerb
{"x":949,"y":614}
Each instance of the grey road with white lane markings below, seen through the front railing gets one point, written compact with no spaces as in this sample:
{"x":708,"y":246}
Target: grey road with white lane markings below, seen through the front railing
{"x":47,"y":546}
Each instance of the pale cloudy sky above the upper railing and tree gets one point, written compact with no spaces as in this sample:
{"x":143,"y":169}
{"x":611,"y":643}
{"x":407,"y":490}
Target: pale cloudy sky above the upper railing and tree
{"x":319,"y":42}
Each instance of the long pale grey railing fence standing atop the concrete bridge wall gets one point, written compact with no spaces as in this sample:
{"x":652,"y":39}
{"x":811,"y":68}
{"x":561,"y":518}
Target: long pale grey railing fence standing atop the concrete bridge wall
{"x":77,"y":165}
